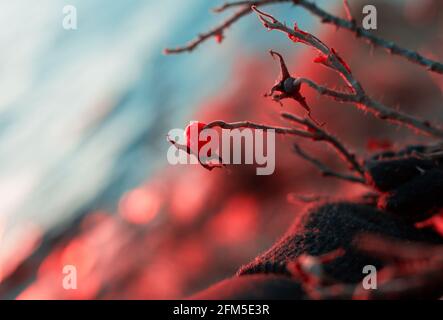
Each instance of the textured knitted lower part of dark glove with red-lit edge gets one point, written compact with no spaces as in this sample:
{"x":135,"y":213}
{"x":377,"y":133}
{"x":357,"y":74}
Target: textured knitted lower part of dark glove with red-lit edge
{"x":334,"y":226}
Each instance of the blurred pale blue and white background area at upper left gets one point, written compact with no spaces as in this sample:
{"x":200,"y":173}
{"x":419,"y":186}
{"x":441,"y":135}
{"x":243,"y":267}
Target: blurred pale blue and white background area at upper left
{"x":84,"y":113}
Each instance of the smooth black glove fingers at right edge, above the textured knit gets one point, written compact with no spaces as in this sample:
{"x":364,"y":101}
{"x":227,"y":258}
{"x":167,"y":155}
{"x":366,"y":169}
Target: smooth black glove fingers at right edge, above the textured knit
{"x":411,"y":181}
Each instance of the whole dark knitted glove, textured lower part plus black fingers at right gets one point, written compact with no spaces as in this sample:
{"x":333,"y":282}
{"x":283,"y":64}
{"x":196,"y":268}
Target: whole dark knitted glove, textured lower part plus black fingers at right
{"x":411,"y":186}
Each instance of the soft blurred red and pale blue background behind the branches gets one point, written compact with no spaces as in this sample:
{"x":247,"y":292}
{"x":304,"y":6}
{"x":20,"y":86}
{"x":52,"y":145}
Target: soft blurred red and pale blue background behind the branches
{"x":84,"y":114}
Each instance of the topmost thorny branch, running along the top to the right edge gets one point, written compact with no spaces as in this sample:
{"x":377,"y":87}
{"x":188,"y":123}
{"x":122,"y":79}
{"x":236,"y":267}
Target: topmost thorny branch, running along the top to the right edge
{"x":349,"y":24}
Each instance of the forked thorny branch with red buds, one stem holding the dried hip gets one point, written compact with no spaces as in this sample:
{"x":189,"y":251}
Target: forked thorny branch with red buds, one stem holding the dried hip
{"x":330,"y":58}
